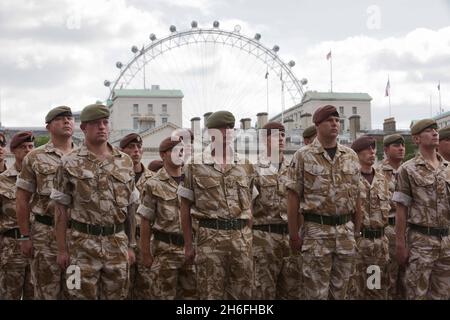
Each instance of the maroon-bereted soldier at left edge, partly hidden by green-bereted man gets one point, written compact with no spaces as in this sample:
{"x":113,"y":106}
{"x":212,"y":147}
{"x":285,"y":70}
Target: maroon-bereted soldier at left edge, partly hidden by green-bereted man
{"x":15,"y":279}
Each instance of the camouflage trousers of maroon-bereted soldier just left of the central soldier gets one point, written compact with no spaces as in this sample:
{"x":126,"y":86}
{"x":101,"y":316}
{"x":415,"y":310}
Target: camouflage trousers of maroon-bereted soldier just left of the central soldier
{"x":170,"y":277}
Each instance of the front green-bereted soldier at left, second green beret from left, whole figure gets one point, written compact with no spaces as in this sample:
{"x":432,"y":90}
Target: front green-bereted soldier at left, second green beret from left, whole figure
{"x":97,"y":182}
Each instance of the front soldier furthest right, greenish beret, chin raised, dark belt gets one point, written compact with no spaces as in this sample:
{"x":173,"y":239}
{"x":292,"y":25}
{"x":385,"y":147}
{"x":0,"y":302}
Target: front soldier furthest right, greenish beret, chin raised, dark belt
{"x":423,"y":217}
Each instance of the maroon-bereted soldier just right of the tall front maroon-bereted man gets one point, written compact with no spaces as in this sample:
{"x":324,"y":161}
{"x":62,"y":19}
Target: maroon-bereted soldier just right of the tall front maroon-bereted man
{"x":372,"y":243}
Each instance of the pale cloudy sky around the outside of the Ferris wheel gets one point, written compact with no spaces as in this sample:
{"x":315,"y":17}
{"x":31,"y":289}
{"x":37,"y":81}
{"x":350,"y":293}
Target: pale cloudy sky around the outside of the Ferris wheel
{"x":60,"y":52}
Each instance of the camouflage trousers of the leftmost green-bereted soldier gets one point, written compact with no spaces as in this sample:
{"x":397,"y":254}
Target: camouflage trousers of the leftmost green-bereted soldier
{"x":47,"y":276}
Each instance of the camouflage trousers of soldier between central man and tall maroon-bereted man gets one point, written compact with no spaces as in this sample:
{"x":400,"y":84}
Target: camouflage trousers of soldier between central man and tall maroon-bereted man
{"x":277,"y":270}
